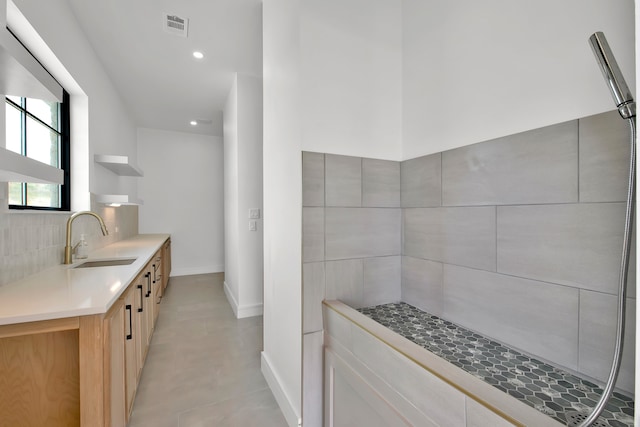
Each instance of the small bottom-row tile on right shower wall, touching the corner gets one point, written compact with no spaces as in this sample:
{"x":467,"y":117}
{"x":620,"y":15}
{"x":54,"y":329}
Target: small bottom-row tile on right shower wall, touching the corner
{"x":422,"y":284}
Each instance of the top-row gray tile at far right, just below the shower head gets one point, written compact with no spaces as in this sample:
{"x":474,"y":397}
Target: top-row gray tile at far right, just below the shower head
{"x":604,"y":158}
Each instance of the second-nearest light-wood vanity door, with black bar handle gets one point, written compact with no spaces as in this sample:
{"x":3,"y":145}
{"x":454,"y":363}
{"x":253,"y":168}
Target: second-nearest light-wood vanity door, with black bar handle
{"x":131,"y":358}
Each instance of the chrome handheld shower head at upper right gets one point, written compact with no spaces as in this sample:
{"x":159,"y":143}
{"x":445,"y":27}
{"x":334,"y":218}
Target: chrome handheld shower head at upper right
{"x":612,"y":74}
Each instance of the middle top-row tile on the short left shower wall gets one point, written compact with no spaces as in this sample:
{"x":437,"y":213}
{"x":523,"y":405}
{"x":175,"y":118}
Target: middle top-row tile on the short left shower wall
{"x":343,"y":180}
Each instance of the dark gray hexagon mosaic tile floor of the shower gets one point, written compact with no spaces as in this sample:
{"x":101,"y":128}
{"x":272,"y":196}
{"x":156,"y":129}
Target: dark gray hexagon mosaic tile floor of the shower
{"x":556,"y":393}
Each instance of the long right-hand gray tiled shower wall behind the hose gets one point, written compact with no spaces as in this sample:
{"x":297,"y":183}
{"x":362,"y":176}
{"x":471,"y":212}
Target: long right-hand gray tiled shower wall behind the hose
{"x":525,"y":244}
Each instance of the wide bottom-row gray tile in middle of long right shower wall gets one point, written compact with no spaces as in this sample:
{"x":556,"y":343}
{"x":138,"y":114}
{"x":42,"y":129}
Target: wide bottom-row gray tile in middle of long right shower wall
{"x":536,"y":317}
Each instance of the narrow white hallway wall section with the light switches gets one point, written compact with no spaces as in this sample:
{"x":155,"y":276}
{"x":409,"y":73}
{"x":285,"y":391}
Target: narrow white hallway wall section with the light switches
{"x":243,"y":191}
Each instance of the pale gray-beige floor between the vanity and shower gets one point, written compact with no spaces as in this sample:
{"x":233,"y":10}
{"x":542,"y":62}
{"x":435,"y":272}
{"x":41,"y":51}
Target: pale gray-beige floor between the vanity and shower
{"x":203,"y":366}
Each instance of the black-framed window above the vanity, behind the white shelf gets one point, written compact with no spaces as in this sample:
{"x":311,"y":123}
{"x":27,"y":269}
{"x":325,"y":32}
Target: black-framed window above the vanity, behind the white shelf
{"x":40,"y":130}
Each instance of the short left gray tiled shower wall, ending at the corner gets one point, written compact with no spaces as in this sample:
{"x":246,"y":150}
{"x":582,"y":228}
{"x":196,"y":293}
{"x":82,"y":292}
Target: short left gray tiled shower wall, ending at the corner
{"x":351,"y":248}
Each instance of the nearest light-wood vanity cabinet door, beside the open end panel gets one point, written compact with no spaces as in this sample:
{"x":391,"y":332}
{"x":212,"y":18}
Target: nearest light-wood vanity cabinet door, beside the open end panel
{"x":115,"y":323}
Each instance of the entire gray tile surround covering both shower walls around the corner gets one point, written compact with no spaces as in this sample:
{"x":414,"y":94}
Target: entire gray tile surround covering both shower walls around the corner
{"x":518,"y":238}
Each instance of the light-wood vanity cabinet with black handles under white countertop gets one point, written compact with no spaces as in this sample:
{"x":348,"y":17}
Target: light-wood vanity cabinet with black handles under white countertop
{"x":83,"y":370}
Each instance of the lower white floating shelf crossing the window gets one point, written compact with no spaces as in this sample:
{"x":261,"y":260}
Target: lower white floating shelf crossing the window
{"x":17,"y":168}
